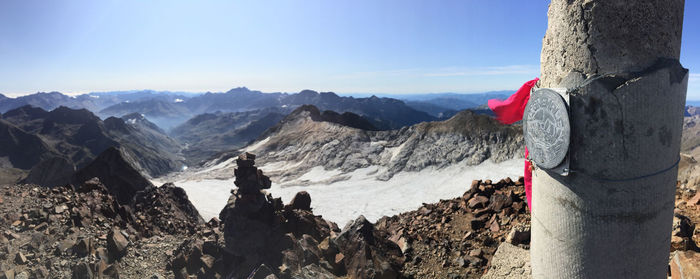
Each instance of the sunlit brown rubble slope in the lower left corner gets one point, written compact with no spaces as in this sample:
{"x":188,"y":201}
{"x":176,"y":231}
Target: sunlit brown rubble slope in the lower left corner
{"x":86,"y":233}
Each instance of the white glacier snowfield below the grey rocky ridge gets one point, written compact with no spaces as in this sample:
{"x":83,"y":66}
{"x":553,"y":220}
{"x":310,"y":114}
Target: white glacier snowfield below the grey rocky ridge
{"x":361,"y":194}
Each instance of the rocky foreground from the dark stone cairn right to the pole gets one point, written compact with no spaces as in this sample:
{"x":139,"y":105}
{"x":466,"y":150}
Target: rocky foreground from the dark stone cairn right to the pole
{"x":259,"y":236}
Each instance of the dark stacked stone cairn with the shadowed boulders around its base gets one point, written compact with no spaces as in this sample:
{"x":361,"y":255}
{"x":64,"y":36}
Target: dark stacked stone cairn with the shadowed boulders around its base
{"x":259,"y":237}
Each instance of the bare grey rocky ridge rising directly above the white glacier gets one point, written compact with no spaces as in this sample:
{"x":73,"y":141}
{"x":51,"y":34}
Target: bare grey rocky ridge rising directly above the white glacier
{"x":305,"y":141}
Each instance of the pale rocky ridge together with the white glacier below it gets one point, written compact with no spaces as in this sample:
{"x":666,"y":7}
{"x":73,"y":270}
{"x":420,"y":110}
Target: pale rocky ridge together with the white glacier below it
{"x":355,"y":171}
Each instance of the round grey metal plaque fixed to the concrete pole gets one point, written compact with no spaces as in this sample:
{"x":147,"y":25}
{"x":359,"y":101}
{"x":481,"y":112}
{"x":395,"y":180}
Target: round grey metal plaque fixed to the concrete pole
{"x":546,"y":128}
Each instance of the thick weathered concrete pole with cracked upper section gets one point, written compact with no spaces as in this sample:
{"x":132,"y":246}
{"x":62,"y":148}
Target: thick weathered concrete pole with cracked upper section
{"x":612,"y":216}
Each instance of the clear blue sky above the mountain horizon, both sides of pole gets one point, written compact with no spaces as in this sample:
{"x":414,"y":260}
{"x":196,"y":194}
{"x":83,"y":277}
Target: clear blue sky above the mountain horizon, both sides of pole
{"x":356,"y":46}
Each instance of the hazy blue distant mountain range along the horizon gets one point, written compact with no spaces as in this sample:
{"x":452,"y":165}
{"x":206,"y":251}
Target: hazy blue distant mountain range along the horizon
{"x":170,"y":109}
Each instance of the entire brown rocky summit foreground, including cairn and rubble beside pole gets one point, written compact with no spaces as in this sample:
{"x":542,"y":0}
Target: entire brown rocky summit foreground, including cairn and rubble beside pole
{"x":85,"y":231}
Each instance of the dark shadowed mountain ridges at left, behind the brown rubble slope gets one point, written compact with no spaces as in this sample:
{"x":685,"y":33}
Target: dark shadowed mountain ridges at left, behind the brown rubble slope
{"x":43,"y":143}
